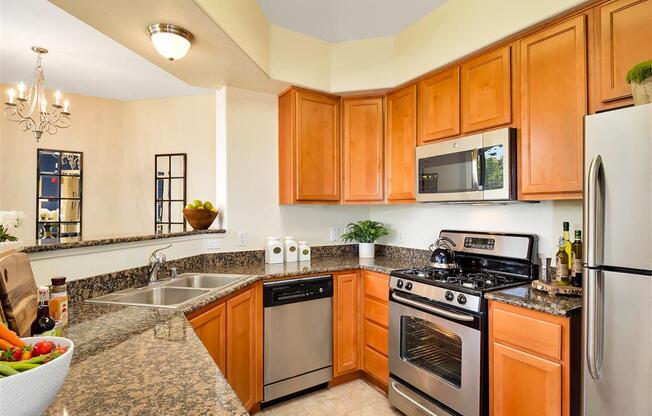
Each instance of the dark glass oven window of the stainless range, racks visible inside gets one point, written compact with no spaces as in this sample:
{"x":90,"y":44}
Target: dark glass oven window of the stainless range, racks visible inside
{"x":432,"y":348}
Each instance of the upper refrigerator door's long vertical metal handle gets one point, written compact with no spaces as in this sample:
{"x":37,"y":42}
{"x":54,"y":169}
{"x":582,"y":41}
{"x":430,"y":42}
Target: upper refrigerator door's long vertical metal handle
{"x":591,"y":206}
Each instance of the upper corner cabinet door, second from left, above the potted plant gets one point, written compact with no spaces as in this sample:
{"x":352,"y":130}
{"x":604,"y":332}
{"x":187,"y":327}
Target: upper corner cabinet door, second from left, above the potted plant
{"x":363,"y":148}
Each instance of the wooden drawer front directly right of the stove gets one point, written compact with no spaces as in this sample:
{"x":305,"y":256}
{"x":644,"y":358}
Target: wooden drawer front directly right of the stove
{"x":527,"y":332}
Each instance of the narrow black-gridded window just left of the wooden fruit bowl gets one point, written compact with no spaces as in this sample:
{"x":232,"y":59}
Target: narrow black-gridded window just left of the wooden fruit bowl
{"x":169,"y":192}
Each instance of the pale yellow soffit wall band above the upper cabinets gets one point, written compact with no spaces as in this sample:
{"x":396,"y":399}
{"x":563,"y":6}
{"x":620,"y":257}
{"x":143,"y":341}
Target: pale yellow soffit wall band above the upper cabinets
{"x":456,"y":29}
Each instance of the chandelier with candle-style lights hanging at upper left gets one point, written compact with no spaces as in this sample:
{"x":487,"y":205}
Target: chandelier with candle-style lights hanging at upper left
{"x":31,"y":111}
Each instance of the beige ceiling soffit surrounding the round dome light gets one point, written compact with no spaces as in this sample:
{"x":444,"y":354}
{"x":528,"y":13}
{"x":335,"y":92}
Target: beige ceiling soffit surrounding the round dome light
{"x":213,"y":61}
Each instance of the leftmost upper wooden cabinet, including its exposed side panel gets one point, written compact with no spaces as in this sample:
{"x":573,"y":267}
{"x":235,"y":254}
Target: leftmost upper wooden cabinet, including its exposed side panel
{"x":309,"y":147}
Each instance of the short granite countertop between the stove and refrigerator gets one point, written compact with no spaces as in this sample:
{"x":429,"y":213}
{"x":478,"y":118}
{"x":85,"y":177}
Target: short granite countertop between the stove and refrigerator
{"x":527,"y":297}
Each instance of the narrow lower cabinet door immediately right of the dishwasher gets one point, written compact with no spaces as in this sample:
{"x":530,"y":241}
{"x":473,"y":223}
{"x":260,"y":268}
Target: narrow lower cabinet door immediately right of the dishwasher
{"x":347,"y":323}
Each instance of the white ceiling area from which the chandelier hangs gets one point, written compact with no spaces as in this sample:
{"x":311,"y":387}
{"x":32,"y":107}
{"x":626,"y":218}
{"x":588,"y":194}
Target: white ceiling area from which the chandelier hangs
{"x":81,"y":60}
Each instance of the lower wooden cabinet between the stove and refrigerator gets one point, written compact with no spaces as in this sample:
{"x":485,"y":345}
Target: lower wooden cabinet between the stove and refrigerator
{"x":533,"y":367}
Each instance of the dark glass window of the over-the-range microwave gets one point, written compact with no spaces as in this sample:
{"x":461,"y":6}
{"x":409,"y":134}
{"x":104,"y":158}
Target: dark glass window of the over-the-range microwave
{"x":446,"y":173}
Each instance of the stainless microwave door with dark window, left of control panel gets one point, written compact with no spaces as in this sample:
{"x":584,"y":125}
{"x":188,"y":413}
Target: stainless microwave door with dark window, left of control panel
{"x":449,"y":170}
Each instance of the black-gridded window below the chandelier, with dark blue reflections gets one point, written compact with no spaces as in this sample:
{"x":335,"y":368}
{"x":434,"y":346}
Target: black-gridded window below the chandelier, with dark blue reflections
{"x":58,"y":196}
